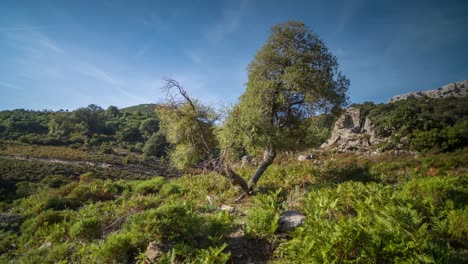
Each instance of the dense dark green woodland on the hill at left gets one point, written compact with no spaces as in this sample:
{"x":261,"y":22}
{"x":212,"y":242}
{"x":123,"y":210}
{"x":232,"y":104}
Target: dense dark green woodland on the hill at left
{"x":87,"y":128}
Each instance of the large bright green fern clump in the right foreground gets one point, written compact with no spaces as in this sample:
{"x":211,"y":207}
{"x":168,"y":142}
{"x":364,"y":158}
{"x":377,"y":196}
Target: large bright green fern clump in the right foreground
{"x":360,"y":223}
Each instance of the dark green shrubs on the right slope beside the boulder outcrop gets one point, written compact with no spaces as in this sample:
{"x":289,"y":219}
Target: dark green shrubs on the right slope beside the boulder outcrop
{"x":424,"y":124}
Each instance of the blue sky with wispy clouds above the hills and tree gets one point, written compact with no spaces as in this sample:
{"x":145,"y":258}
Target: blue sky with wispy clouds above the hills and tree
{"x":68,"y":54}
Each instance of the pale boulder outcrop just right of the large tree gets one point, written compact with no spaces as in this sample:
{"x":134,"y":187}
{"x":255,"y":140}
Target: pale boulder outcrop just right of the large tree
{"x":352,"y":134}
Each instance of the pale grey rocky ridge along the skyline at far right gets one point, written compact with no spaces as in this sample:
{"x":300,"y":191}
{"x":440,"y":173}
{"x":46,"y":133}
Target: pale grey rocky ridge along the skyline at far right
{"x":458,"y":89}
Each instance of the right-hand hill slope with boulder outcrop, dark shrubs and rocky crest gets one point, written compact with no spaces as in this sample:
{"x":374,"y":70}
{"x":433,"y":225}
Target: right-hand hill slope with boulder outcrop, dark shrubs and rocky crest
{"x":428,"y":121}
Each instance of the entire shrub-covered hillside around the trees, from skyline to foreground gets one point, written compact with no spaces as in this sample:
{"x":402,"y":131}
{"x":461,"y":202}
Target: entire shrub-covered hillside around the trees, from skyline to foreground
{"x":104,"y":191}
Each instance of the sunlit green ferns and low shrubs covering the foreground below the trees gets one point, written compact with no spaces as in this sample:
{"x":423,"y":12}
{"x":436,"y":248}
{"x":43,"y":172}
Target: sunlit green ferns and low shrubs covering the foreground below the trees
{"x":359,"y":210}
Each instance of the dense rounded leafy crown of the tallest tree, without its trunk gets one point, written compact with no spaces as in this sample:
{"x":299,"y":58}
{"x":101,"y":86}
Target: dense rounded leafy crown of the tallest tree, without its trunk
{"x":292,"y":77}
